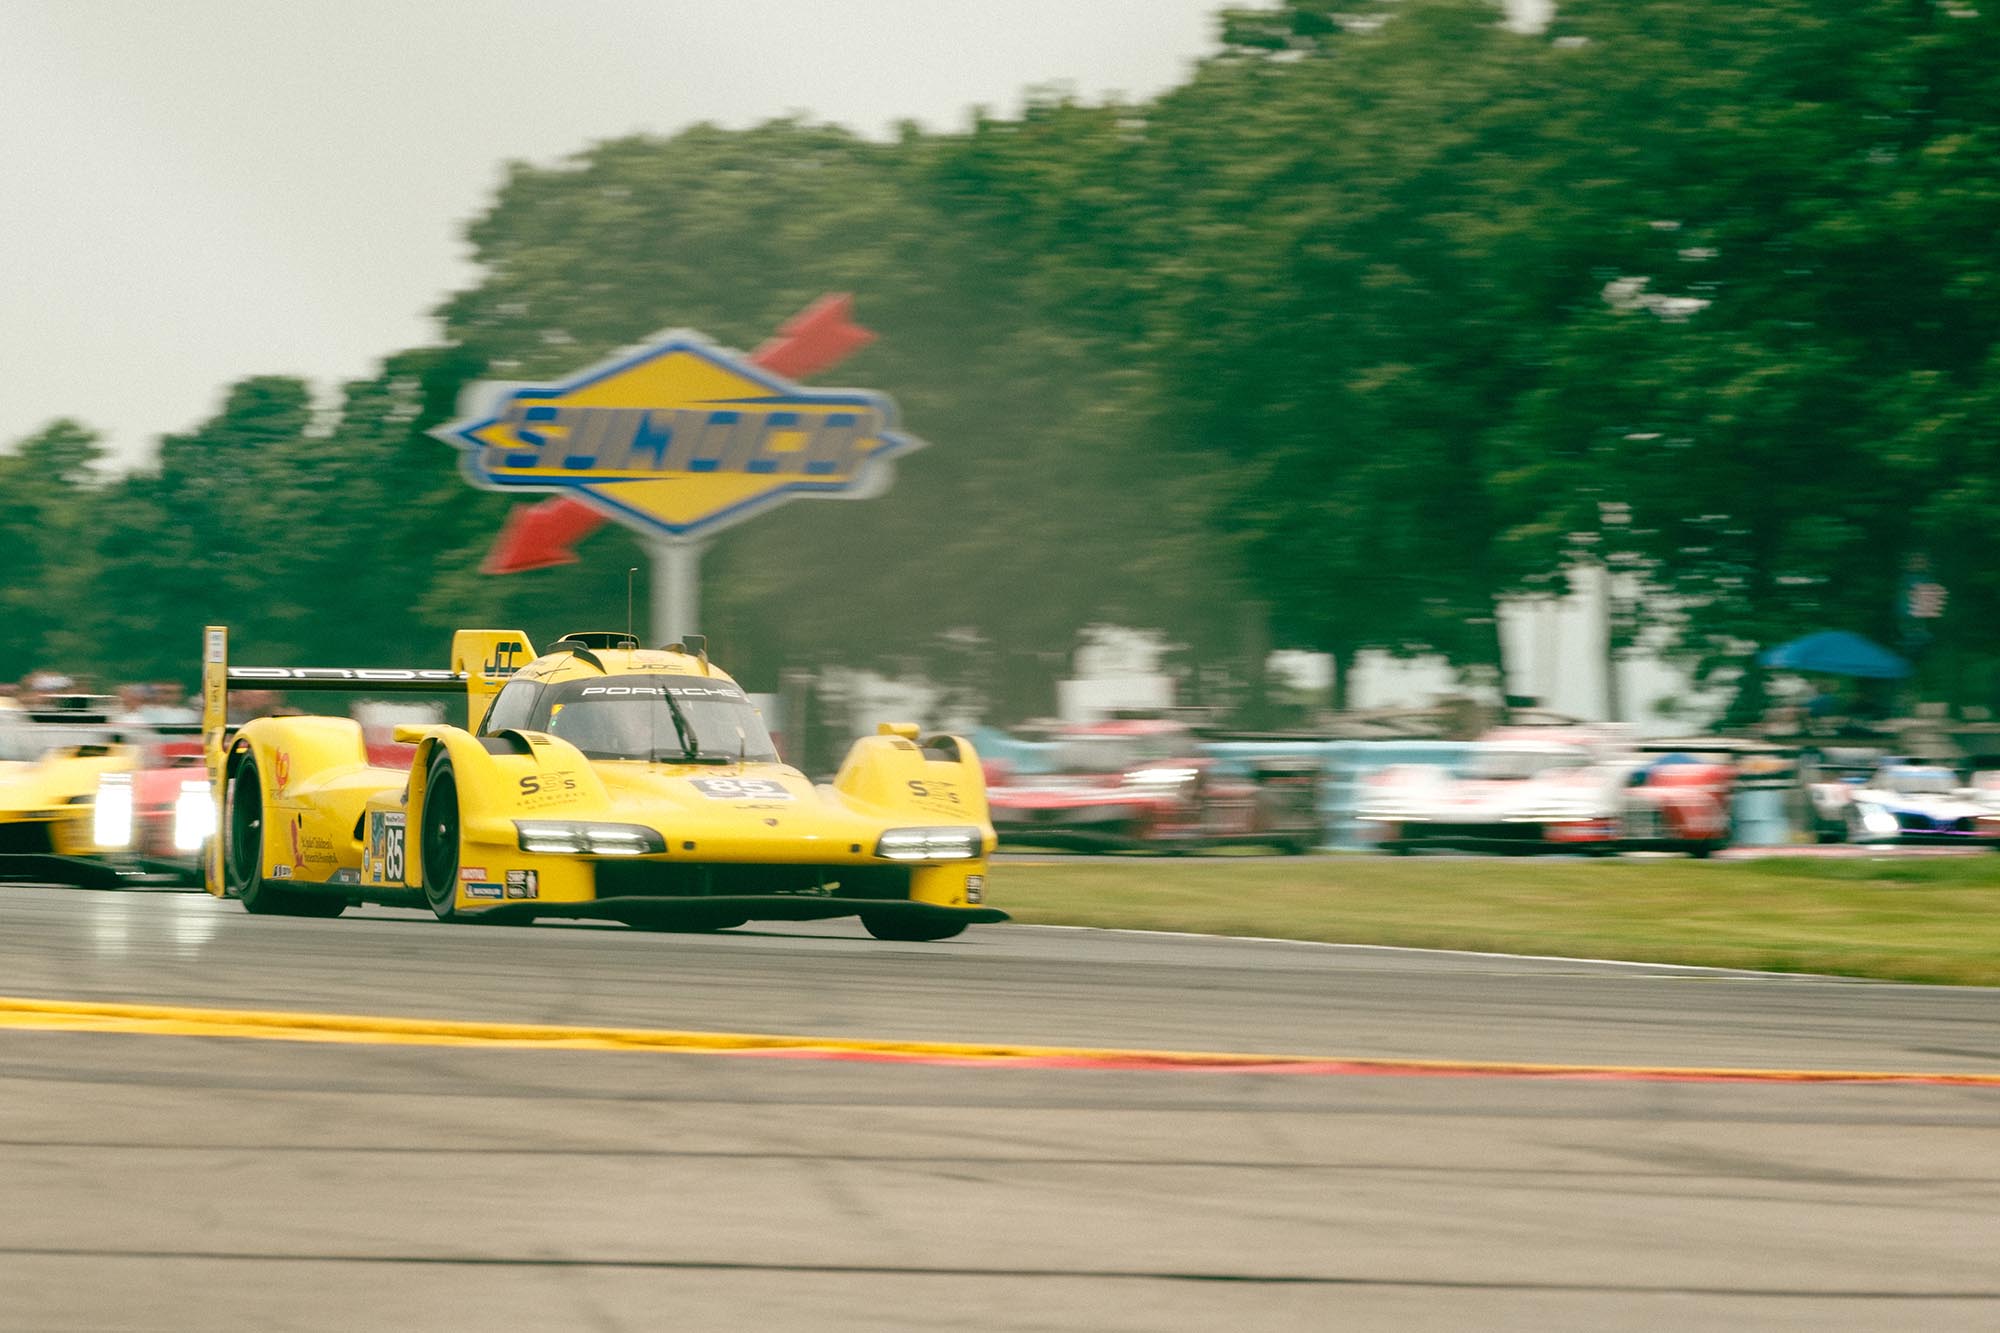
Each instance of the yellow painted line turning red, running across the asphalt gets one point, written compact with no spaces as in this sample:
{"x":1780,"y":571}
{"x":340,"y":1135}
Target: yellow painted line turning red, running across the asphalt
{"x":371,"y":1030}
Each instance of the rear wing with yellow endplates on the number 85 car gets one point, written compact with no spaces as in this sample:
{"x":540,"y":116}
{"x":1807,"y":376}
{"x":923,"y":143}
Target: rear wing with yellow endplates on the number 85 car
{"x":481,"y":665}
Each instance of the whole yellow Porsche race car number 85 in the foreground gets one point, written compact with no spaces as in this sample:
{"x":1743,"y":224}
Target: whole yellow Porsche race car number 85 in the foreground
{"x":603,"y":780}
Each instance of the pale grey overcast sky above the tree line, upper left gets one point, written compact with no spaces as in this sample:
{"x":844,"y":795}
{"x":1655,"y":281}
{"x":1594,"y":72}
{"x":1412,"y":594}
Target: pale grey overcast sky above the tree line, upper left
{"x":195,"y":191}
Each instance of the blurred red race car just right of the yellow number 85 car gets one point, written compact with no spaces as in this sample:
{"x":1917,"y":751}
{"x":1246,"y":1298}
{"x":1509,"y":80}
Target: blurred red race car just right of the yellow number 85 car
{"x":1145,"y":784}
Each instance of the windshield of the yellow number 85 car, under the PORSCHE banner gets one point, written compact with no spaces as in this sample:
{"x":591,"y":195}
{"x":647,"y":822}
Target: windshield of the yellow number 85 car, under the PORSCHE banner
{"x":657,"y":718}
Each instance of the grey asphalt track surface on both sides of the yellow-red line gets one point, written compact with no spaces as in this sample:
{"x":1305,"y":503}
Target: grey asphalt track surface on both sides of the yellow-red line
{"x":225,"y":1184}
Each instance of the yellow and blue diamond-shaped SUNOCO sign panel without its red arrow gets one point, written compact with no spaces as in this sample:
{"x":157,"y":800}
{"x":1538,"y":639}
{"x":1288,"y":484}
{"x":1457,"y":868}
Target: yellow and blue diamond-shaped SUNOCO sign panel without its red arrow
{"x":679,"y":437}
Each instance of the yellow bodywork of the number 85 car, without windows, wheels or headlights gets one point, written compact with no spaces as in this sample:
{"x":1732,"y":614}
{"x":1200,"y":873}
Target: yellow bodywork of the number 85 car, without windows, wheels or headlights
{"x":333,"y":820}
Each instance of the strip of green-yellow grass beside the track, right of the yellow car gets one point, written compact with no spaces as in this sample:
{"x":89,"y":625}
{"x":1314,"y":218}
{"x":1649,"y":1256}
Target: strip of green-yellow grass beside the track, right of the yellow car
{"x":1897,"y":920}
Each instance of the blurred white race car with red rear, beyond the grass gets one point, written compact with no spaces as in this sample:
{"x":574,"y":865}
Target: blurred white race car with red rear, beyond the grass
{"x":1525,"y":794}
